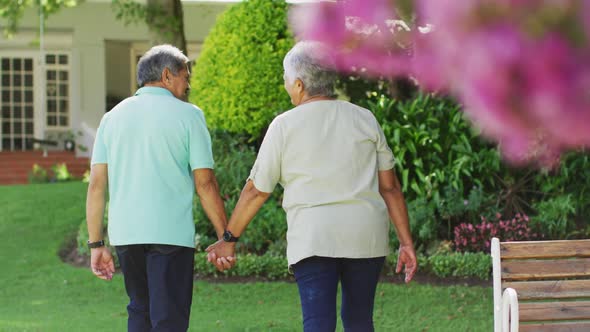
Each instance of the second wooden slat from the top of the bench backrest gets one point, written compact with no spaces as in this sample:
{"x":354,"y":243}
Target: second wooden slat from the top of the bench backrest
{"x":545,"y":269}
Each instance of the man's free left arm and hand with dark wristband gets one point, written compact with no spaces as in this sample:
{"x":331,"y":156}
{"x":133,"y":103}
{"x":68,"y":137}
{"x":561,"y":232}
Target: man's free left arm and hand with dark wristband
{"x":101,"y":260}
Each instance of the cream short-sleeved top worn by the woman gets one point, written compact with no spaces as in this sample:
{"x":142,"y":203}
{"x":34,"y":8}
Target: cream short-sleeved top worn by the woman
{"x":326,"y":155}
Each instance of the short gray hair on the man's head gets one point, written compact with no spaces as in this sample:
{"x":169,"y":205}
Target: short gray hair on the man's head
{"x":152,"y":63}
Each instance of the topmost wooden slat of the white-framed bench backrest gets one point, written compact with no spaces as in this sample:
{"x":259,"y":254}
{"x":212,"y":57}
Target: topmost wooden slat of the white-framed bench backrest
{"x":545,"y":249}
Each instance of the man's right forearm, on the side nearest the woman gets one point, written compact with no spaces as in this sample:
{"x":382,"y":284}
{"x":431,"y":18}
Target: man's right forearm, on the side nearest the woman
{"x":208,"y":191}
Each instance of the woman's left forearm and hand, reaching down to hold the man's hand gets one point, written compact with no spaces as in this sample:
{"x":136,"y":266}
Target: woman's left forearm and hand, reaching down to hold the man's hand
{"x":250,"y":201}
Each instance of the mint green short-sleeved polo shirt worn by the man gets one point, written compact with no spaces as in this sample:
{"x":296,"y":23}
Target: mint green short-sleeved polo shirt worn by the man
{"x":151,"y":143}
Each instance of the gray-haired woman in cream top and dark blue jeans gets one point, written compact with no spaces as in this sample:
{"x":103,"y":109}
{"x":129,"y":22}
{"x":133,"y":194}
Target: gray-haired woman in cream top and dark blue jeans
{"x":340,"y":192}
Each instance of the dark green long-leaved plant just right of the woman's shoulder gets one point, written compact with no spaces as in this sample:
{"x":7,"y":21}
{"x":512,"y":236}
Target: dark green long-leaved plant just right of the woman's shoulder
{"x":434,"y":145}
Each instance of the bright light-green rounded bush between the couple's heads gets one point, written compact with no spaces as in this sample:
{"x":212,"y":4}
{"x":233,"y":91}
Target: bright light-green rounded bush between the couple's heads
{"x":238,"y":78}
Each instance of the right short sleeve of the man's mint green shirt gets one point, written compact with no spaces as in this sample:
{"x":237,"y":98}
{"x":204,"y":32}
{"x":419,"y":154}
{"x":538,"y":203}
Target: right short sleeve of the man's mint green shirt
{"x":200,"y":152}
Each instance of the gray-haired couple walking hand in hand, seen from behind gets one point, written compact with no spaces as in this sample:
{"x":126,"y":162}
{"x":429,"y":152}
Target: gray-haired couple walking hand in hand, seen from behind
{"x":330,"y":156}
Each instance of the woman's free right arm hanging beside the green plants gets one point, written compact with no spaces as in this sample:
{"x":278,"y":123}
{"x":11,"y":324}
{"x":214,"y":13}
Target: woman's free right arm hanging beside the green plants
{"x":390,"y":190}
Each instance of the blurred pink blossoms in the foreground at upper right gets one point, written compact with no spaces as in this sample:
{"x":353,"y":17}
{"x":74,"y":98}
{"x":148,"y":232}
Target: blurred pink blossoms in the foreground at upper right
{"x":519,"y":67}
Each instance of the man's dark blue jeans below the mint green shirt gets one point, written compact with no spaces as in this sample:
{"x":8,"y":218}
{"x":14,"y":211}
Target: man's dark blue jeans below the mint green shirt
{"x":159,"y":283}
